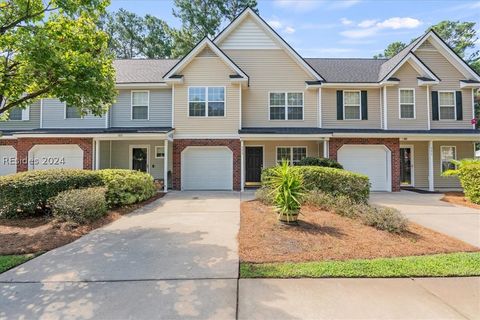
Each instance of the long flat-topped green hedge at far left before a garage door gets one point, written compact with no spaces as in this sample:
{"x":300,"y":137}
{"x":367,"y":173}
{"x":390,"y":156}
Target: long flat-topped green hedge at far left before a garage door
{"x":27,"y":193}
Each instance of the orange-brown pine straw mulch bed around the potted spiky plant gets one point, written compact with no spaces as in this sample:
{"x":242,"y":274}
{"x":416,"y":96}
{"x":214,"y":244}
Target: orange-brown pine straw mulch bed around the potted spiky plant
{"x":322,"y":235}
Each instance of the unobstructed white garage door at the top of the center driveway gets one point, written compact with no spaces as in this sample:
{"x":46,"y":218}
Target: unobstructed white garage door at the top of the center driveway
{"x":207,"y":168}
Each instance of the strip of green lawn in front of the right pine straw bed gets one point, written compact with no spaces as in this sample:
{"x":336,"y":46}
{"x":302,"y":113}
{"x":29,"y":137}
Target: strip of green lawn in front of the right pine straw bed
{"x":440,"y":265}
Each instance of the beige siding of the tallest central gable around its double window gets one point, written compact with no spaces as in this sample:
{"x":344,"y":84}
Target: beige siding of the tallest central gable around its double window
{"x":272,"y":71}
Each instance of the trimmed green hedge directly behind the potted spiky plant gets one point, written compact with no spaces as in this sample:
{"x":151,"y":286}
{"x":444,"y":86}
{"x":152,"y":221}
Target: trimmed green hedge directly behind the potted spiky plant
{"x":335,"y":182}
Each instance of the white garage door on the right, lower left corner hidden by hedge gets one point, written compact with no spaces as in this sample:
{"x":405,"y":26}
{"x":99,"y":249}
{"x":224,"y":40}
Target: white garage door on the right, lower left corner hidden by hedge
{"x":372,"y":161}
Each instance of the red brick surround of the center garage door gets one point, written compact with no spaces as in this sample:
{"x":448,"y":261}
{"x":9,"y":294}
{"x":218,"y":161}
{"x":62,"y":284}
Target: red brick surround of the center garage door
{"x":180,"y":144}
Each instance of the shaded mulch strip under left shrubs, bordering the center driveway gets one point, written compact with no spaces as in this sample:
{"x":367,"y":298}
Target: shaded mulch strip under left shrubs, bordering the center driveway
{"x":35,"y":235}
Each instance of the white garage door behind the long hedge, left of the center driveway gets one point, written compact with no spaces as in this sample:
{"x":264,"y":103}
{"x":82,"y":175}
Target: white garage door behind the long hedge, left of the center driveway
{"x":61,"y":156}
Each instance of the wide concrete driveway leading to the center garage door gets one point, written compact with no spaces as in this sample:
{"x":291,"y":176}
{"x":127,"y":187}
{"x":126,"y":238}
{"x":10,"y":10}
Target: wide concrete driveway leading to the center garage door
{"x":175,"y":258}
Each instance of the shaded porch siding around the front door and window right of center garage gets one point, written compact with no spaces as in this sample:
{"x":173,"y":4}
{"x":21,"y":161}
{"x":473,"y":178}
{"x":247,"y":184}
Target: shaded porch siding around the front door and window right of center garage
{"x":314,"y":149}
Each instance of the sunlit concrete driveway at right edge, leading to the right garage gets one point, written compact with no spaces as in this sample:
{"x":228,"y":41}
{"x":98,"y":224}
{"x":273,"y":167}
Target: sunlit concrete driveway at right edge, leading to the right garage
{"x":426,"y":209}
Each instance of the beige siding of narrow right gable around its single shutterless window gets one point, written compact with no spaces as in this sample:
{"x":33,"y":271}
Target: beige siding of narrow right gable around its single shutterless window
{"x":408,"y":80}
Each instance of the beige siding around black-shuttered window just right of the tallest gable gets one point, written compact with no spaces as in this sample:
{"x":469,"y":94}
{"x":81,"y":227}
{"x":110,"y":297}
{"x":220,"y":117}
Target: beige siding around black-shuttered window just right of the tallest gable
{"x":329,"y":110}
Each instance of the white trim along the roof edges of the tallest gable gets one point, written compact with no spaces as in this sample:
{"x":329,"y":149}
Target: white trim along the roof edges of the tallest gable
{"x":248,"y":12}
